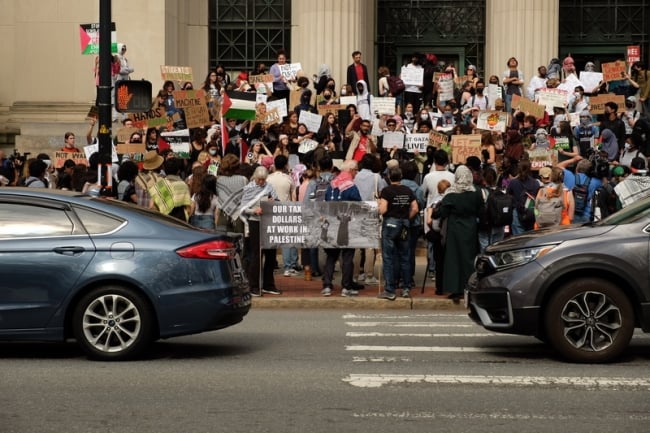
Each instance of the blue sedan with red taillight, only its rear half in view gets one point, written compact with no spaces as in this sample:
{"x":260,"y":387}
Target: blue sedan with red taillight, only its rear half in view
{"x":113,"y":276}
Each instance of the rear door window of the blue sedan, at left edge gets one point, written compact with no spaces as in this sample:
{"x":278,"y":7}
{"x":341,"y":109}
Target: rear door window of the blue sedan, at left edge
{"x":26,"y":220}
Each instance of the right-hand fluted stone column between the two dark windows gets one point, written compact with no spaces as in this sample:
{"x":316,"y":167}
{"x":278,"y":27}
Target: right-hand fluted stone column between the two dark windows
{"x":525,"y":29}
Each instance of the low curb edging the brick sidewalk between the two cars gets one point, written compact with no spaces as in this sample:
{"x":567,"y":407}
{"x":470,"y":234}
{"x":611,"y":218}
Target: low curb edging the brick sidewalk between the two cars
{"x":358,"y":303}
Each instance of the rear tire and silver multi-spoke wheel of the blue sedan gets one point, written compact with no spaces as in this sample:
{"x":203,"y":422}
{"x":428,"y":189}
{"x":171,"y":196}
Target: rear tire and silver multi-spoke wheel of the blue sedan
{"x":113,"y":323}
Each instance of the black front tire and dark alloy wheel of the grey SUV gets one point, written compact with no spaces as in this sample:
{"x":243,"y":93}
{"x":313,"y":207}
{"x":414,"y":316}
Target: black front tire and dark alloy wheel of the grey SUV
{"x":589,"y":320}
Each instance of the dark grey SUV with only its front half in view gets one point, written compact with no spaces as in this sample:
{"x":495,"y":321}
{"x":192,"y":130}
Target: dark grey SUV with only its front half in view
{"x":583,"y":289}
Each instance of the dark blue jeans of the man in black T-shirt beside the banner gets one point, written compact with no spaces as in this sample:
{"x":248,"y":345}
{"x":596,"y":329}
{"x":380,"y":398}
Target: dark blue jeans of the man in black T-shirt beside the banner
{"x":395,"y":254}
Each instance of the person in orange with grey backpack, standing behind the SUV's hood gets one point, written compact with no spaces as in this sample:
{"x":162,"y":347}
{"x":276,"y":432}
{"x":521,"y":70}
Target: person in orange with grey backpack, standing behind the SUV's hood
{"x":554,"y":204}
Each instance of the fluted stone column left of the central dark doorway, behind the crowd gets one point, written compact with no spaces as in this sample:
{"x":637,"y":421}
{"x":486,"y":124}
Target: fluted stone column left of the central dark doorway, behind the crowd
{"x":328,"y":31}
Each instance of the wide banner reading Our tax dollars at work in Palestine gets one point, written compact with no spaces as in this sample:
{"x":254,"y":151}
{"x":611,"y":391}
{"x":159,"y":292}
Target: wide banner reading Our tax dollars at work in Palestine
{"x":332,"y":224}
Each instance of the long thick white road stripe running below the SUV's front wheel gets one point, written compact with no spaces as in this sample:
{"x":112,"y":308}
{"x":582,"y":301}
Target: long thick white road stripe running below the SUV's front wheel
{"x":378,"y":380}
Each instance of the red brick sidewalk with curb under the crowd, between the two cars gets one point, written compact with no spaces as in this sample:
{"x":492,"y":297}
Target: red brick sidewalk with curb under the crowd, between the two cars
{"x":298,"y":293}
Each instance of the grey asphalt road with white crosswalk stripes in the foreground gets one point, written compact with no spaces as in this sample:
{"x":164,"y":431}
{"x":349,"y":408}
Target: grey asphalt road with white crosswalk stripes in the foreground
{"x":326,"y":371}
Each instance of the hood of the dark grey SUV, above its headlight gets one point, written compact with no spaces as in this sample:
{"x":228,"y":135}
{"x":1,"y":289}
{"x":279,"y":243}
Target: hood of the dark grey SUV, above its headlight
{"x":549,"y":235}
